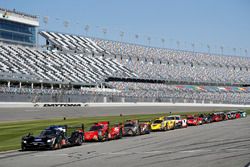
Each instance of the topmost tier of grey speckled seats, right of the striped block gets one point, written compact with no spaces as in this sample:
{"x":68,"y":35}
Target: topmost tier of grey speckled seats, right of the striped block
{"x":168,"y":55}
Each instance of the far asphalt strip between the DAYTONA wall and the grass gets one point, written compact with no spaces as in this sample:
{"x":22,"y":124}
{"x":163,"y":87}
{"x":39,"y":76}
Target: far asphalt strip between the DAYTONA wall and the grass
{"x":12,"y":114}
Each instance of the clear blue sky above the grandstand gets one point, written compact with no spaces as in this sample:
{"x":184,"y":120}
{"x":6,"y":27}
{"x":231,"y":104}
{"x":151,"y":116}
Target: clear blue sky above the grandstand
{"x":182,"y":24}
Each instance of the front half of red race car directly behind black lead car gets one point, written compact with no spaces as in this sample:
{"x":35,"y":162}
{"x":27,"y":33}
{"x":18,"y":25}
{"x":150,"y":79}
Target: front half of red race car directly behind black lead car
{"x":98,"y":132}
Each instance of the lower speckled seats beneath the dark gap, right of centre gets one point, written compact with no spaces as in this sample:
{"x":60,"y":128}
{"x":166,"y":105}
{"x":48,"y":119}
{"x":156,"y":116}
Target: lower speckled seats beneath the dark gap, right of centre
{"x":174,"y":91}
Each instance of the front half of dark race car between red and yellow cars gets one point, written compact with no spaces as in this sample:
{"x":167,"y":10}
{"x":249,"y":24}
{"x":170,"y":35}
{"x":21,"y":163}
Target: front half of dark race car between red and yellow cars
{"x":132,"y":128}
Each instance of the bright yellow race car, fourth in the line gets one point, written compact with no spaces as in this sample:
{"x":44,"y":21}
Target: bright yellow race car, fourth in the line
{"x":162,"y":123}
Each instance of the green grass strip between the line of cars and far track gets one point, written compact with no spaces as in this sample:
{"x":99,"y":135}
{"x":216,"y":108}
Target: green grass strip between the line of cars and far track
{"x":11,"y":132}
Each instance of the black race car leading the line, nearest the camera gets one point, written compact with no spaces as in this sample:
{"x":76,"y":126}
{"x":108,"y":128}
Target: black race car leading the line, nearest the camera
{"x":54,"y":137}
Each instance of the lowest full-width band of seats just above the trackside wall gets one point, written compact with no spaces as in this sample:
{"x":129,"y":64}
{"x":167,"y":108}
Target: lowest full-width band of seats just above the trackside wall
{"x":142,"y":91}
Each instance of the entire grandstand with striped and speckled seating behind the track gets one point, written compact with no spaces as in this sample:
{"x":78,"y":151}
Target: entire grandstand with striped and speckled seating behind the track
{"x":82,"y":69}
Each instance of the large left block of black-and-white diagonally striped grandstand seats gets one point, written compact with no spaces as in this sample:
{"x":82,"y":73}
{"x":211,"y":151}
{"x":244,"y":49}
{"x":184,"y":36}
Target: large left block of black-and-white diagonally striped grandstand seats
{"x":58,"y":66}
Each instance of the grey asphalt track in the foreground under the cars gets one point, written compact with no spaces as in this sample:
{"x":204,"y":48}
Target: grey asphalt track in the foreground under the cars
{"x":222,"y":144}
